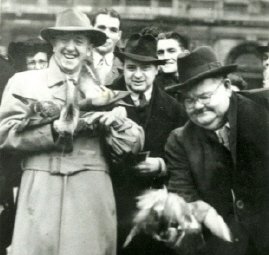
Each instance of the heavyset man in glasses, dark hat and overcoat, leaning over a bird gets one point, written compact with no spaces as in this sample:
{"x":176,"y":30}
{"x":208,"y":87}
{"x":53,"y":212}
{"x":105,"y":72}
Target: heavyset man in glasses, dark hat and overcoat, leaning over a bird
{"x":221,"y":155}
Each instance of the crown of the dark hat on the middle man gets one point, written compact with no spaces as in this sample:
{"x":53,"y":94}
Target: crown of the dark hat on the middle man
{"x":143,"y":45}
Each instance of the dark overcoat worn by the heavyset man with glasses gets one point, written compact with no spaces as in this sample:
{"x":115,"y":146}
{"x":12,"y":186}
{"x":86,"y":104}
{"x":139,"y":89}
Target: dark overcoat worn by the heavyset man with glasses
{"x":235,"y":182}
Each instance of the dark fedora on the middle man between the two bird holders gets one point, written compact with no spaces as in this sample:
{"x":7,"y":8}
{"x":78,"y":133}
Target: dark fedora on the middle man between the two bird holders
{"x":142,"y":48}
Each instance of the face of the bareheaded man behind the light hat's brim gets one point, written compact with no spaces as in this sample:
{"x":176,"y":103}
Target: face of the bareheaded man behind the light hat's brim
{"x":111,"y":27}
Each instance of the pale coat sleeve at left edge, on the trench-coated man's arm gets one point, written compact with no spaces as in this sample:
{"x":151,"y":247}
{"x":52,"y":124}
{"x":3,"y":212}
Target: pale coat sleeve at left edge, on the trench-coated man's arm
{"x":12,"y":113}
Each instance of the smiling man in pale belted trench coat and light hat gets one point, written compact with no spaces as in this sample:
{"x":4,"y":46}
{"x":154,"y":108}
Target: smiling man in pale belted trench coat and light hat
{"x":66,"y":202}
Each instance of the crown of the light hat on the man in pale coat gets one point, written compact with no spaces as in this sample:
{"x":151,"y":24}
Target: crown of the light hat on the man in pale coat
{"x":72,"y":18}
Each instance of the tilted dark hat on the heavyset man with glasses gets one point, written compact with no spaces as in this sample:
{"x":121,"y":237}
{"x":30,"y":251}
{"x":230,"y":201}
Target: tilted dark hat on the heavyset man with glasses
{"x":199,"y":64}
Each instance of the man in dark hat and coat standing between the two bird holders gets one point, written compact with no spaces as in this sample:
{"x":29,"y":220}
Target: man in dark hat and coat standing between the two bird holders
{"x":158,"y":114}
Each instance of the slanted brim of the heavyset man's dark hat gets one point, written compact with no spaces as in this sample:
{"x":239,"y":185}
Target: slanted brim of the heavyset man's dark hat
{"x":211,"y":73}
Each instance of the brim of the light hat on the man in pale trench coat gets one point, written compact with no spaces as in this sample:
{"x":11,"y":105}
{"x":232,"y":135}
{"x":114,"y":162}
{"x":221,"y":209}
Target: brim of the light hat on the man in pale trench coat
{"x":96,"y":37}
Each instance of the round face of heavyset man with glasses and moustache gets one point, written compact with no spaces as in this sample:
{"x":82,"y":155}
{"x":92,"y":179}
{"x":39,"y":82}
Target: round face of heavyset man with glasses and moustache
{"x":207,"y":102}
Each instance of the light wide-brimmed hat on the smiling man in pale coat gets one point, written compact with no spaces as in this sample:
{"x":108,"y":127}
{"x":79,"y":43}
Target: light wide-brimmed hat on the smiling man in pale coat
{"x":72,"y":20}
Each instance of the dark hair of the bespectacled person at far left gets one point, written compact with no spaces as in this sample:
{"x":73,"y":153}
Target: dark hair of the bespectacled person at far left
{"x":18,"y":51}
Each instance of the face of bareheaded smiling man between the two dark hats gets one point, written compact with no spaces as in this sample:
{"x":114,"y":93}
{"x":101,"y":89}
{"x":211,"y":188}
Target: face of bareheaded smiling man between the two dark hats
{"x":169,"y":49}
